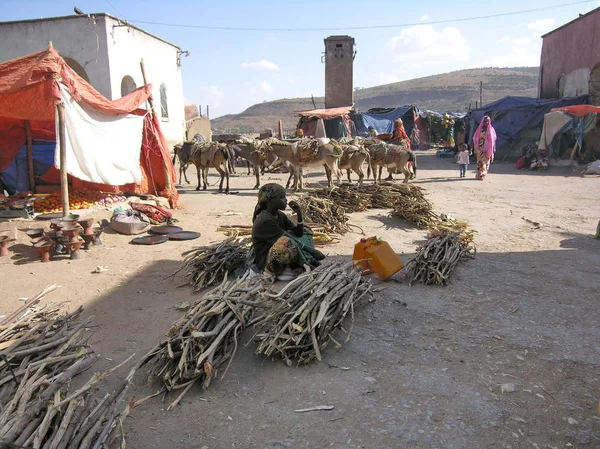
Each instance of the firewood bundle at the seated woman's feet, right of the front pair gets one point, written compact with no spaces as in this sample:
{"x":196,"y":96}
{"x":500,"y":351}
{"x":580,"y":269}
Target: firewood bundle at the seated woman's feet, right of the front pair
{"x":312,"y":307}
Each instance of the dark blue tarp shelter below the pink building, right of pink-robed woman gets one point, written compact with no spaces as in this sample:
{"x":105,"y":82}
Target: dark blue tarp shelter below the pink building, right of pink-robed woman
{"x":512,"y":115}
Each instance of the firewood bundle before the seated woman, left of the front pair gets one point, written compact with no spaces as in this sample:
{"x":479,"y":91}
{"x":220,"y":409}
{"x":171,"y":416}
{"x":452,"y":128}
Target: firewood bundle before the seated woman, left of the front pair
{"x":198,"y":344}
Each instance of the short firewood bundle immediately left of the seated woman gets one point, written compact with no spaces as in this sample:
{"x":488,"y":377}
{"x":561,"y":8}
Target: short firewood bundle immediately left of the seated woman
{"x":209,"y":265}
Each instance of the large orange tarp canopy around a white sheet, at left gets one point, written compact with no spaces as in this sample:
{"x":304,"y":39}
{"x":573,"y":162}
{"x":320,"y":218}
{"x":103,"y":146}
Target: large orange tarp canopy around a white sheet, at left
{"x":29,"y":90}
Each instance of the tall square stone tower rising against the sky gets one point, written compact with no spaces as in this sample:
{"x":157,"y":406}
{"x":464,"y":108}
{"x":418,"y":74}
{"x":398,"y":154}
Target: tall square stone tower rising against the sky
{"x":339,"y":59}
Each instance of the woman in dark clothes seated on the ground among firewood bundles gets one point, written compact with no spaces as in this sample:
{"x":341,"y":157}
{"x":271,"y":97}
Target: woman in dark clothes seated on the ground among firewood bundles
{"x":280,"y":246}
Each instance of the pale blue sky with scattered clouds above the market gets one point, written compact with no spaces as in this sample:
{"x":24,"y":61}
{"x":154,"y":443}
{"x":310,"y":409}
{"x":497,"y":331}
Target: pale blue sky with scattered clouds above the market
{"x":231,"y":69}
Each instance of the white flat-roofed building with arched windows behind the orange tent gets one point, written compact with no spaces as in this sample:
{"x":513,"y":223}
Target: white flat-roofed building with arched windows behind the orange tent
{"x":106,"y":51}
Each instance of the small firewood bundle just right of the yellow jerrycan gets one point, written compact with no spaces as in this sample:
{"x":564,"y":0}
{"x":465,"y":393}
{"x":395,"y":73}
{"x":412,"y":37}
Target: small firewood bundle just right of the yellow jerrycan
{"x":438,"y":256}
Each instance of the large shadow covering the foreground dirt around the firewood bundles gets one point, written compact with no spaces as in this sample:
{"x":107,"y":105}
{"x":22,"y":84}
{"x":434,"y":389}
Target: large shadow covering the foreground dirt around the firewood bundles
{"x":424,"y":364}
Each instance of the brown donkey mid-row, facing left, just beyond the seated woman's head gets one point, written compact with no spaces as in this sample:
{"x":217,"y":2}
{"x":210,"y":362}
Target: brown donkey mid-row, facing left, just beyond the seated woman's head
{"x":327,"y":155}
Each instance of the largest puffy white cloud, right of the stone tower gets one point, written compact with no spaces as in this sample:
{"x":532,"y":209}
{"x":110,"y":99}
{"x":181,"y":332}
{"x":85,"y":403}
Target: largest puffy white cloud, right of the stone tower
{"x":421,"y":45}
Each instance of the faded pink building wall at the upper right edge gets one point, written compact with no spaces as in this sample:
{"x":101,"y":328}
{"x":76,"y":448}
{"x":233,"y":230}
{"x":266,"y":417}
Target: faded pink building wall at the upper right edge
{"x":570,"y":62}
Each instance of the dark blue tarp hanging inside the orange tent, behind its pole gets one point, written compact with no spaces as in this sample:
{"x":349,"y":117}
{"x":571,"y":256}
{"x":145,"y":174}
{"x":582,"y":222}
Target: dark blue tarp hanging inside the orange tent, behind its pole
{"x":16,"y":178}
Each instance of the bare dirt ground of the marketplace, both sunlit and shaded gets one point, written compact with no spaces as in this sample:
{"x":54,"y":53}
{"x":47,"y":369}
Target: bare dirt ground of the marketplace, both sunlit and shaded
{"x":425,"y":367}
